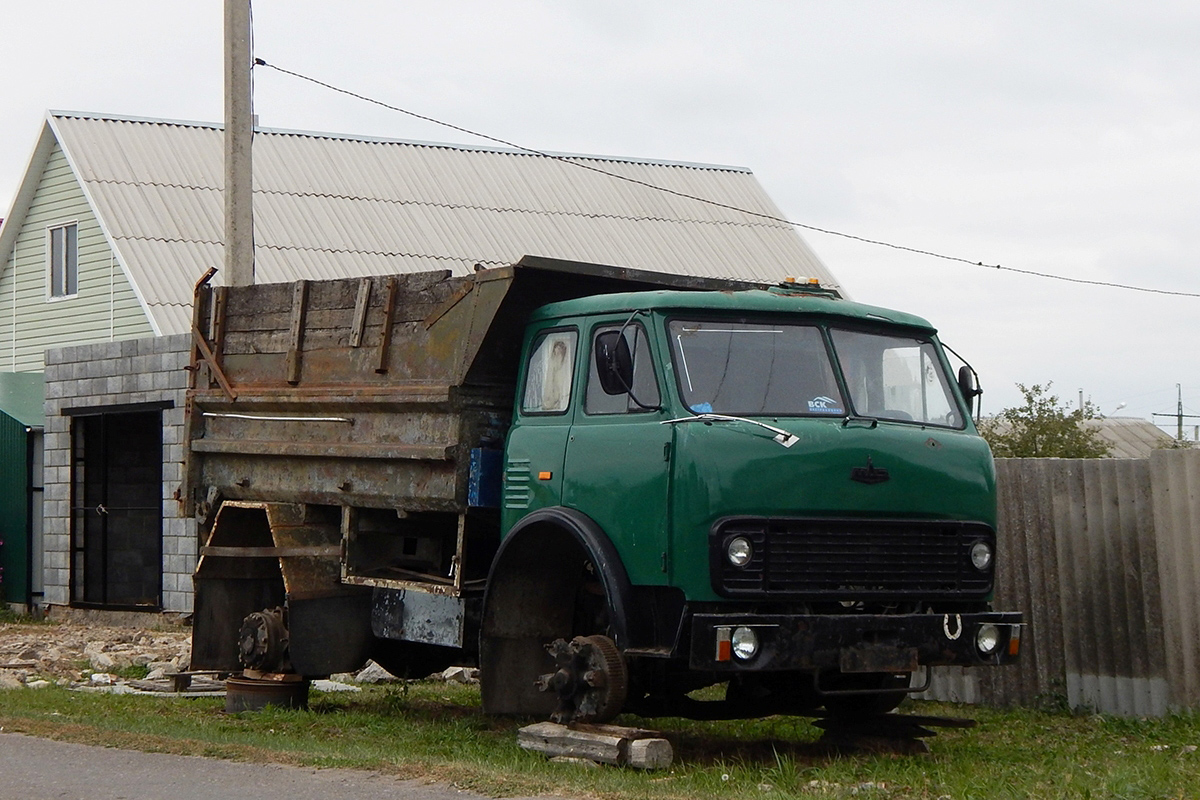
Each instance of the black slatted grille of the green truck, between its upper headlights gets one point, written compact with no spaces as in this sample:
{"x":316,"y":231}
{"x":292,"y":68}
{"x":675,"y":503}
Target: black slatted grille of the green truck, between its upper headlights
{"x":851,"y":560}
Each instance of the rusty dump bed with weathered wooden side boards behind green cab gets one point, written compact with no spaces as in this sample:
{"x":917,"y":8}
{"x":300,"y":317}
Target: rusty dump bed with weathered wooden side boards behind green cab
{"x":368,"y":393}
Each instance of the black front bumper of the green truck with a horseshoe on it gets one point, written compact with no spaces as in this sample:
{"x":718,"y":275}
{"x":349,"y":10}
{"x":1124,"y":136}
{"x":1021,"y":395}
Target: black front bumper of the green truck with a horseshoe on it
{"x":854,"y":643}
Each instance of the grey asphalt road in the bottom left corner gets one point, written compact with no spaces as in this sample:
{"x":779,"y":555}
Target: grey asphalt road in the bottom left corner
{"x":43,"y":769}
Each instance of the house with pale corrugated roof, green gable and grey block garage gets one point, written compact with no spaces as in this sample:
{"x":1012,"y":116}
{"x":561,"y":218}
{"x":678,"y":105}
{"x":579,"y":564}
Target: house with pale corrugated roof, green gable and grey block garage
{"x":118,"y":218}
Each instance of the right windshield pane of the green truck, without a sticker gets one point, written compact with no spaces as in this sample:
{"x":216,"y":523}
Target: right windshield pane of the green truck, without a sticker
{"x":896,"y":378}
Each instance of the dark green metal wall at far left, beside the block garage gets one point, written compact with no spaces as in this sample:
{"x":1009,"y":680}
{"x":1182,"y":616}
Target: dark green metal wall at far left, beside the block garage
{"x":14,"y":510}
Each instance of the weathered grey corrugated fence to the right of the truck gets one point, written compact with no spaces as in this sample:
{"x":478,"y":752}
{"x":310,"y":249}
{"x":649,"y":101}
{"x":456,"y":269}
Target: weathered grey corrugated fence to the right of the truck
{"x":1103,"y":556}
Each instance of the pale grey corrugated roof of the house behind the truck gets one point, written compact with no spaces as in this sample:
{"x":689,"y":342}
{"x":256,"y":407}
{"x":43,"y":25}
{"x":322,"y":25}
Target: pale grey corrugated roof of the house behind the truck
{"x":335,"y":207}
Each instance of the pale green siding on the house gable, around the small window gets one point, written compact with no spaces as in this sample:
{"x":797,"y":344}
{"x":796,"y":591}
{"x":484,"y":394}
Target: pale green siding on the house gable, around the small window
{"x":105,"y":309}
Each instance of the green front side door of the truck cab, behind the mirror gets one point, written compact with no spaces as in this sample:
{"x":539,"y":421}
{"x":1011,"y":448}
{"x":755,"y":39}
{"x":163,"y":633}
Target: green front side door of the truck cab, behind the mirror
{"x":619,"y":456}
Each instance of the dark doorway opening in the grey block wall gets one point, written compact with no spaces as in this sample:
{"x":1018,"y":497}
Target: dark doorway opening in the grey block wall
{"x":117,"y":510}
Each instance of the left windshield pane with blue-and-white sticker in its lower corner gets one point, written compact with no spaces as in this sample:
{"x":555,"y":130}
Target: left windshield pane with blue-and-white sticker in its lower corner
{"x":777,"y":370}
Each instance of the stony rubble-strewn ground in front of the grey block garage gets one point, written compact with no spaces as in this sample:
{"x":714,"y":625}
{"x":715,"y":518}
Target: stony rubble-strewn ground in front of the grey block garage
{"x":71,"y":652}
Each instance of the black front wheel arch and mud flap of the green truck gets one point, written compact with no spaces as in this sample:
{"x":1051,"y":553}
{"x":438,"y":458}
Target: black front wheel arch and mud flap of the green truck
{"x":530,"y":601}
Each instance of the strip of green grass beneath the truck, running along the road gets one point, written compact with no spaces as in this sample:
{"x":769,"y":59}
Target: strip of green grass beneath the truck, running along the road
{"x":436,"y":732}
